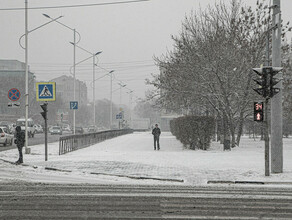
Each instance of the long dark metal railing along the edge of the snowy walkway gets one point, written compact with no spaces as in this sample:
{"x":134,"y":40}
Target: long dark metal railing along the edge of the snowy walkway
{"x":79,"y":141}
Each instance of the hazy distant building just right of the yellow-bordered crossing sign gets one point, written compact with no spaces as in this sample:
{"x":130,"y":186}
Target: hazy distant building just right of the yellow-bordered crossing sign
{"x":64,"y":89}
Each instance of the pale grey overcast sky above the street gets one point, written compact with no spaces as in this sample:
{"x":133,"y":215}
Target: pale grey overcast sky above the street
{"x":129,"y":35}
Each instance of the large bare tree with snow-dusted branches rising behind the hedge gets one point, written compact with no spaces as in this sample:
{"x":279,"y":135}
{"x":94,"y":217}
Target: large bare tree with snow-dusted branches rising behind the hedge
{"x":210,"y":65}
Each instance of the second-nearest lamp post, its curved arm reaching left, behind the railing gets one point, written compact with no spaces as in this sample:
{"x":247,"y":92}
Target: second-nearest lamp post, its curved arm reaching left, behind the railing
{"x":74,"y":60}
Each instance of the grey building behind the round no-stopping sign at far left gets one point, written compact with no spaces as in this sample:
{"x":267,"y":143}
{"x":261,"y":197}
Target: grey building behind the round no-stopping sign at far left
{"x":12,"y":75}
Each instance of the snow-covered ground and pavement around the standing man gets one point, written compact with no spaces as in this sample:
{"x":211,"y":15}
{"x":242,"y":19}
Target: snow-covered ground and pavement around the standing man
{"x":132,"y":155}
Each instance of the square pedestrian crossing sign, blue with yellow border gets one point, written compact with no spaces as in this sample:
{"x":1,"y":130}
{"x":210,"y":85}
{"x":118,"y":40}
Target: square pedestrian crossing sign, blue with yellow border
{"x":46,"y":91}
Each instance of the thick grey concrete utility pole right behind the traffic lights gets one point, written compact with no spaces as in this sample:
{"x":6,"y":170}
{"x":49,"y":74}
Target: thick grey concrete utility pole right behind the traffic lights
{"x":276,"y":101}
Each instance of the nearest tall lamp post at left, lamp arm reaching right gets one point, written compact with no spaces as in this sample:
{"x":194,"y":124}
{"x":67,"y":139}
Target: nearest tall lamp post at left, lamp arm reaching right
{"x":26,"y":67}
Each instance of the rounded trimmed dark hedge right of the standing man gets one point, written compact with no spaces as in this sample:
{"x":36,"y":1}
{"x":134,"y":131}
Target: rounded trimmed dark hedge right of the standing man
{"x":194,"y":132}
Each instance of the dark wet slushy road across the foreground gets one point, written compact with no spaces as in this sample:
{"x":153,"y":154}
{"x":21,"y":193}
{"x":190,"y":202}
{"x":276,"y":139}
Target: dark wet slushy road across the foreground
{"x":46,"y":201}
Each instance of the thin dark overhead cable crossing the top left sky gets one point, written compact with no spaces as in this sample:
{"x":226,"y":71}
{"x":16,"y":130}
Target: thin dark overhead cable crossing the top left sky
{"x":74,"y":6}
